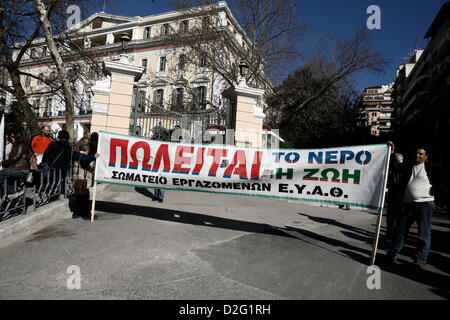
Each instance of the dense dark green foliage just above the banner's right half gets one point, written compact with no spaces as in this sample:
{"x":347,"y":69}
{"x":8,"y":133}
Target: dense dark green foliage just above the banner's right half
{"x":322,"y":122}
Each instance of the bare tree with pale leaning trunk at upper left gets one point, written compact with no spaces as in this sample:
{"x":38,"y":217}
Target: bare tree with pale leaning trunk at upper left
{"x":22,"y":26}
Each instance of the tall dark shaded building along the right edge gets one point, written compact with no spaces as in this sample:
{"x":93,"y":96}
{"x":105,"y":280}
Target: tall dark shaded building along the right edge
{"x":422,"y":93}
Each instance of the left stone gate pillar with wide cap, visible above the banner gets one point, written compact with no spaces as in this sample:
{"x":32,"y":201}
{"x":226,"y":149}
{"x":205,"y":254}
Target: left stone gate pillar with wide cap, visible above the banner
{"x":112,"y":102}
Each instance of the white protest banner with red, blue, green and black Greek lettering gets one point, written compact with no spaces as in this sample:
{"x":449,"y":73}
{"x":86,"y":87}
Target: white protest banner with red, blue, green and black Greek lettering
{"x":352,"y":176}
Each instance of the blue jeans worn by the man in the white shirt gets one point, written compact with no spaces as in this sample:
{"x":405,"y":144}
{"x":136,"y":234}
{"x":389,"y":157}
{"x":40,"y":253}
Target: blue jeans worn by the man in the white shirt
{"x":421,"y":212}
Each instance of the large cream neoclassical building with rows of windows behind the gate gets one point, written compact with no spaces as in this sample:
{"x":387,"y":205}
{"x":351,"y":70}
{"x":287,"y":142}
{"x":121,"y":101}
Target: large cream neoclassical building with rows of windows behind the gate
{"x":175,"y":81}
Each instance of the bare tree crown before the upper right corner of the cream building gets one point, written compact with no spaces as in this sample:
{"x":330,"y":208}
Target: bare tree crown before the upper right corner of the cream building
{"x":259,"y":34}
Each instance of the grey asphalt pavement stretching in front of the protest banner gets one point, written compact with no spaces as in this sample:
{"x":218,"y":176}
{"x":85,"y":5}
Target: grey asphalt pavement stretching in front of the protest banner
{"x":208,"y":246}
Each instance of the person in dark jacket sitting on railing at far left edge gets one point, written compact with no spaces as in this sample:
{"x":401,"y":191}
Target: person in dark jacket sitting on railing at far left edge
{"x":18,"y":164}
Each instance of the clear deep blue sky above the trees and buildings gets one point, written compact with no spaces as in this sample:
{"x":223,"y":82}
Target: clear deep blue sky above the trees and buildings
{"x":403,"y":25}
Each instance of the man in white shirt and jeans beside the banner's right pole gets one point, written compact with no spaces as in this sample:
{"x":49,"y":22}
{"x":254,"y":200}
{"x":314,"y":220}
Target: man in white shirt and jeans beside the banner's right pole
{"x":418,"y":206}
